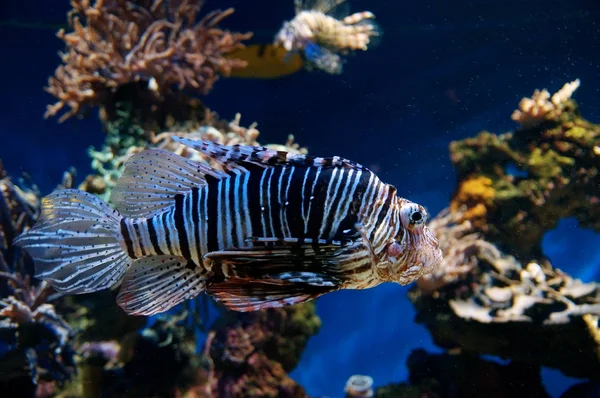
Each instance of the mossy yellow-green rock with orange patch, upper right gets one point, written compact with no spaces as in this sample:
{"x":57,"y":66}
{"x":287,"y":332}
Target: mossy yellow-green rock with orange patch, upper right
{"x":518,"y":185}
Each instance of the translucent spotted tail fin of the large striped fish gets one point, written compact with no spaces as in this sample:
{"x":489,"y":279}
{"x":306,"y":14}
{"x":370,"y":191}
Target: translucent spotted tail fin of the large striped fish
{"x":76,"y":243}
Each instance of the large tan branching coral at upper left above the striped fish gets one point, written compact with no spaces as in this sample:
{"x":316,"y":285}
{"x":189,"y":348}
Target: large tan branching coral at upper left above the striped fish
{"x":159,"y":43}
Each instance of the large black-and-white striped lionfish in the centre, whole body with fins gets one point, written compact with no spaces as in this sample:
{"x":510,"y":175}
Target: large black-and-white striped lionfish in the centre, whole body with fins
{"x":267,"y":229}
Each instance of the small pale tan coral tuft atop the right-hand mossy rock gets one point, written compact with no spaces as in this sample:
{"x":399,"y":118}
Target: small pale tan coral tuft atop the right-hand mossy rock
{"x":542,"y":107}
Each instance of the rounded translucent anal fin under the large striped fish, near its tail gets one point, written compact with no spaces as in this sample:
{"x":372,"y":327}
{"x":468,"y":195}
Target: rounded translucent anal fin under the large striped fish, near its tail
{"x":155,"y":284}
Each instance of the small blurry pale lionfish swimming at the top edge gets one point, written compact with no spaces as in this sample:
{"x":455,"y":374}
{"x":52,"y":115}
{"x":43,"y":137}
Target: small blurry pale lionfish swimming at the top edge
{"x":322,"y":38}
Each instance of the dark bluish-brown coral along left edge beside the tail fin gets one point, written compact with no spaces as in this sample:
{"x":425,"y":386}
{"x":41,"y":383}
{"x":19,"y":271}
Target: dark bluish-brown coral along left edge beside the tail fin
{"x":36,"y":350}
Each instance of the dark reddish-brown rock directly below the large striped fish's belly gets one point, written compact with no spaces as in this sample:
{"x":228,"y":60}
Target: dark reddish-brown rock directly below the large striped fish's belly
{"x":253,"y":352}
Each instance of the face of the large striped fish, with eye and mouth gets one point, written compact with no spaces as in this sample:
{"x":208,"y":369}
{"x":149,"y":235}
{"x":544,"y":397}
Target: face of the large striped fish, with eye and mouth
{"x":414,"y":251}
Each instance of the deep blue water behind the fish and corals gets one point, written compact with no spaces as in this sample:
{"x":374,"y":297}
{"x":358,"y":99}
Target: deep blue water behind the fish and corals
{"x":442,"y":72}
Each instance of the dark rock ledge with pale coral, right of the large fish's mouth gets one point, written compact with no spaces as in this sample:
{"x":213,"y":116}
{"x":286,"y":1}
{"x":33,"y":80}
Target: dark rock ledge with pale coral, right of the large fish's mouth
{"x":483,"y":301}
